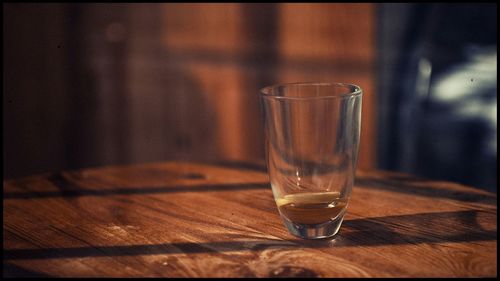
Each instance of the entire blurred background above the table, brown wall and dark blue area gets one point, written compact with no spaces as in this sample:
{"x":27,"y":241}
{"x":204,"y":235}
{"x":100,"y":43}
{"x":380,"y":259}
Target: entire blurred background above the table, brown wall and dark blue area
{"x":89,"y":85}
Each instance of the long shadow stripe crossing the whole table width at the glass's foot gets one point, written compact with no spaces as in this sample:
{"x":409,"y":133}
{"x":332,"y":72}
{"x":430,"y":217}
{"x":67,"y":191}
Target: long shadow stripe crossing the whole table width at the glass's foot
{"x":390,"y":230}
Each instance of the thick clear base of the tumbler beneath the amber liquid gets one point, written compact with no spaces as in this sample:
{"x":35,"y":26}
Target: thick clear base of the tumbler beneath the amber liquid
{"x":314,"y":231}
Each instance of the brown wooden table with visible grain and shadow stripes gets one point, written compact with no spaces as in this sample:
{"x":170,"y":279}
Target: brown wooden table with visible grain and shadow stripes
{"x":199,"y":220}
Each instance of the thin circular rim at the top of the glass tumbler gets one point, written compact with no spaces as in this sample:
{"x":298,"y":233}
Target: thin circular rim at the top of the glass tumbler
{"x":355,"y":90}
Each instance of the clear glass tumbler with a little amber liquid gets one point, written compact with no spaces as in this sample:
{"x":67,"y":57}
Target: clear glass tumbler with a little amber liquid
{"x":312,"y":137}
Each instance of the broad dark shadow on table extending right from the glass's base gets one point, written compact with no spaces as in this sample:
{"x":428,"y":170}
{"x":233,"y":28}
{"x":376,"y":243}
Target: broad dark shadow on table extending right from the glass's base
{"x":458,"y":226}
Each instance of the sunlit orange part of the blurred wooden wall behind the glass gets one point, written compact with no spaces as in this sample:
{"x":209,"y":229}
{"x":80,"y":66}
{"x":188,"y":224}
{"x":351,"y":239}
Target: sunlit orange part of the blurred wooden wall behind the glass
{"x":234,"y":50}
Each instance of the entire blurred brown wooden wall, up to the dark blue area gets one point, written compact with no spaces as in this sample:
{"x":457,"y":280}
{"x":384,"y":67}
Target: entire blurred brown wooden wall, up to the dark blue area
{"x":153,"y":82}
